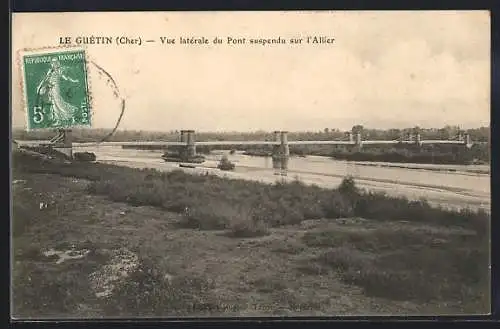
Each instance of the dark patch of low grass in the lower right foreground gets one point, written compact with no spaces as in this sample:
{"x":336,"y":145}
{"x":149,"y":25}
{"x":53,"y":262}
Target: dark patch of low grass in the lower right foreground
{"x":404,"y":264}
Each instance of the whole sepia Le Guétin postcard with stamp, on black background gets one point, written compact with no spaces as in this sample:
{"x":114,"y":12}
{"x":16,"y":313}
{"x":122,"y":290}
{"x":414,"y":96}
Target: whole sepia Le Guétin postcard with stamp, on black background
{"x":250,"y":164}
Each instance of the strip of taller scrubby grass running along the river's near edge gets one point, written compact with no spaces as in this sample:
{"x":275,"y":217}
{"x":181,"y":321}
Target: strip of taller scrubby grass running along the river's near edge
{"x":217,"y":201}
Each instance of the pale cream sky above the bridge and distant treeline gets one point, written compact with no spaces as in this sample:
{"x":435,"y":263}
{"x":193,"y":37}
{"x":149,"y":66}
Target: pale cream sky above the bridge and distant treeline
{"x":384,"y":69}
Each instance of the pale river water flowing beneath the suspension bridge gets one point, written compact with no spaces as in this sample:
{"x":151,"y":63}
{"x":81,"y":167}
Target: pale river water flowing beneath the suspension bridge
{"x":465,"y":186}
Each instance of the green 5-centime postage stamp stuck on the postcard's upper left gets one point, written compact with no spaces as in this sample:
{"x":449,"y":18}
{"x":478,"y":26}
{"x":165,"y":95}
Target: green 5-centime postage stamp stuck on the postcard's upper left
{"x":56,"y":91}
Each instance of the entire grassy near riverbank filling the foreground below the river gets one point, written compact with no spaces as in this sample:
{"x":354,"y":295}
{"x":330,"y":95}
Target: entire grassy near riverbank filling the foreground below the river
{"x":245,"y":248}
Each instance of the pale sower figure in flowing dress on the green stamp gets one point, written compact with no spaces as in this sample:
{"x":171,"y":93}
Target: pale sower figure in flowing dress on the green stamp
{"x":50,"y":88}
